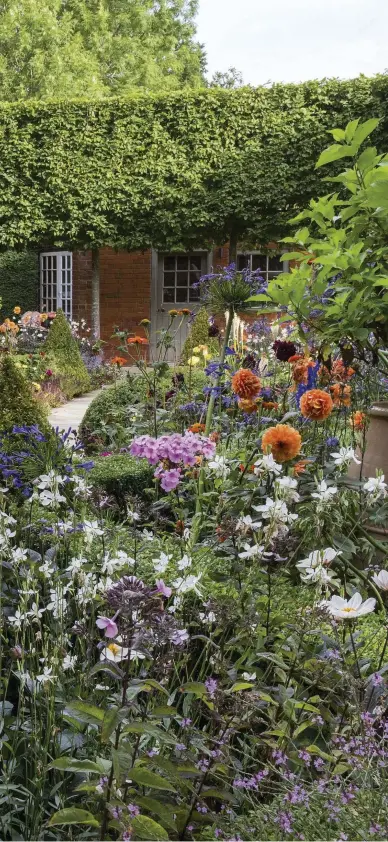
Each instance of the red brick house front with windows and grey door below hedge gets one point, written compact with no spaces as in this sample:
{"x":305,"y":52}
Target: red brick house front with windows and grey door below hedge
{"x":134,"y":285}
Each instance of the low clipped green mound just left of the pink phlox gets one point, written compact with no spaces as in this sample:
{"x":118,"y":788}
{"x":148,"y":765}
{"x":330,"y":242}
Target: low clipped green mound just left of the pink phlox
{"x":120,"y":474}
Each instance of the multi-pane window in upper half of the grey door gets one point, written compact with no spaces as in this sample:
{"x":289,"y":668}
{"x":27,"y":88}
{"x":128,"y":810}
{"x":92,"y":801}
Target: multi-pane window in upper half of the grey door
{"x":180,"y":274}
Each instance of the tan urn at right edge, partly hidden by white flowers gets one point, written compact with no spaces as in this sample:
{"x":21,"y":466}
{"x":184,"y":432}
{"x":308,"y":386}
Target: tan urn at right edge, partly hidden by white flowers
{"x":376,"y":453}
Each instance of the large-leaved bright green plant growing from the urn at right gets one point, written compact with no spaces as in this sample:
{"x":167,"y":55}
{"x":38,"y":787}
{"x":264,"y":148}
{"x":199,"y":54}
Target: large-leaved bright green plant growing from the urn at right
{"x":342,"y":247}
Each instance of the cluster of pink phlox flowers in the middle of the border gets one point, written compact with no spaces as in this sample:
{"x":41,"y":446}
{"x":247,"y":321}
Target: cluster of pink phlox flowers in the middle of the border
{"x":175,"y":450}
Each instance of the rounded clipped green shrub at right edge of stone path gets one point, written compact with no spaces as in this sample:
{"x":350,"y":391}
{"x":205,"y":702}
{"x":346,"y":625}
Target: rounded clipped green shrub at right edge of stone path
{"x":108,"y":408}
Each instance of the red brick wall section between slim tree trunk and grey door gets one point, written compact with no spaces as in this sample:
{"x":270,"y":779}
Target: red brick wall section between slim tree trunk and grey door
{"x":125,"y":290}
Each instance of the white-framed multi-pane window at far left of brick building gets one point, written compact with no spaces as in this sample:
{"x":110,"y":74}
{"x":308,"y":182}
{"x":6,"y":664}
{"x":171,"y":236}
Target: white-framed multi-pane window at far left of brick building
{"x":56,"y":282}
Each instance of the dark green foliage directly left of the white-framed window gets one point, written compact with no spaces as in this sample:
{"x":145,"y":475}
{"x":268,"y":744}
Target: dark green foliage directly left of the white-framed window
{"x":19,"y":281}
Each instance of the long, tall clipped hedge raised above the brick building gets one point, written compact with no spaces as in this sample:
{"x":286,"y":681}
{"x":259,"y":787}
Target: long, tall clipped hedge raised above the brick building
{"x":172,"y":170}
